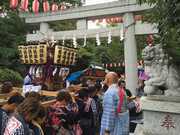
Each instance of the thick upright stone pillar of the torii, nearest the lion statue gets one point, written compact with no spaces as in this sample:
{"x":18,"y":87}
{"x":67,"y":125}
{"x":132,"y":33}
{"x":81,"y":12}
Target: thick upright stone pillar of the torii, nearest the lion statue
{"x":130,"y":53}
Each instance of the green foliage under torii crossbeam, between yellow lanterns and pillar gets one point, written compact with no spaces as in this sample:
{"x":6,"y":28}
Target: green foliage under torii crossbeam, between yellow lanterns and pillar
{"x":105,"y":53}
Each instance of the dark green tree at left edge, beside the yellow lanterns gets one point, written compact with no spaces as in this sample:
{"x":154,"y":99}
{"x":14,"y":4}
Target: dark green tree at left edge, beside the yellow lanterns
{"x":12,"y":33}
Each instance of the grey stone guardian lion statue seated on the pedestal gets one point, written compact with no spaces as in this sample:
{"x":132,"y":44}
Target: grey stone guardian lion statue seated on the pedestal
{"x":164,"y":78}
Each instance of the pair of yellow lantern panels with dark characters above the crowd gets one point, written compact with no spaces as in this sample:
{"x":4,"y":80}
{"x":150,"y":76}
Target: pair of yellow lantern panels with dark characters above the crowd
{"x":38,"y":54}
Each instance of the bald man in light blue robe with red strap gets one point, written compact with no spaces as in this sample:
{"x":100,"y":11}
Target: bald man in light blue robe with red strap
{"x":115,"y":118}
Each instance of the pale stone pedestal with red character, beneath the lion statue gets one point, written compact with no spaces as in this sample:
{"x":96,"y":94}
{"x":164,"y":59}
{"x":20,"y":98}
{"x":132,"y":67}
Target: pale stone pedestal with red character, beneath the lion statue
{"x":161,"y":116}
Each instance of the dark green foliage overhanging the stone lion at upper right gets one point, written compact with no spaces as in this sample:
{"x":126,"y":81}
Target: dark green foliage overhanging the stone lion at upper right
{"x":166,"y":13}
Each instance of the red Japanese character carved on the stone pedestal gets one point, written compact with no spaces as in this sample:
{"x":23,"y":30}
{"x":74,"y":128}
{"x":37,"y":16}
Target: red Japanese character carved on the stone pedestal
{"x":168,"y":122}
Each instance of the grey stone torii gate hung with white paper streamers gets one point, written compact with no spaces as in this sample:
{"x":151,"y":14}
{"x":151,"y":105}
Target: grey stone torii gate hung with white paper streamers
{"x":125,"y":8}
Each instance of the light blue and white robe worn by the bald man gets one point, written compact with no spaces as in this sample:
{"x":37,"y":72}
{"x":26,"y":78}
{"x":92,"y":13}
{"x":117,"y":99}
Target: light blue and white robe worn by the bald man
{"x":117,"y":124}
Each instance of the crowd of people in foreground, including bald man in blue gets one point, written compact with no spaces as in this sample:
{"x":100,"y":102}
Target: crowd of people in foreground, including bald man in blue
{"x":95,"y":108}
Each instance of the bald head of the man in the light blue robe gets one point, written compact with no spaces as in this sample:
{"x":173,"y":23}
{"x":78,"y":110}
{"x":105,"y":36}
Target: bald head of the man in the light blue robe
{"x":111,"y":78}
